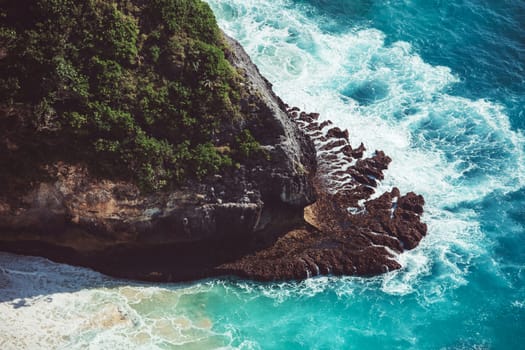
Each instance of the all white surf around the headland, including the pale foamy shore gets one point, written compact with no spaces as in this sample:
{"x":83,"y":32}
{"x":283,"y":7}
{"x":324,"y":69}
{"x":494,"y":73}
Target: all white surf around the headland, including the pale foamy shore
{"x":433,"y":138}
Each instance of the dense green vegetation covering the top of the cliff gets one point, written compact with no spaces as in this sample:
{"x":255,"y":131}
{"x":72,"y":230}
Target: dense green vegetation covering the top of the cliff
{"x":136,"y":89}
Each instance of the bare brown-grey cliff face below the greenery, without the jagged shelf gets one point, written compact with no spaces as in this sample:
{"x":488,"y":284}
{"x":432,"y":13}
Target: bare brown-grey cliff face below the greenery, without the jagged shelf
{"x":180,"y":234}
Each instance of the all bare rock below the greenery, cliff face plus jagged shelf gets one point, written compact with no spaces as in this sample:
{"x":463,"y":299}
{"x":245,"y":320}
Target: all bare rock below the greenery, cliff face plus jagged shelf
{"x":303,"y":207}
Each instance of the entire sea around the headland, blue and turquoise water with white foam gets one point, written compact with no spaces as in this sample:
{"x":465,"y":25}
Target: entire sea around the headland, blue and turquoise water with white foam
{"x":440,"y":87}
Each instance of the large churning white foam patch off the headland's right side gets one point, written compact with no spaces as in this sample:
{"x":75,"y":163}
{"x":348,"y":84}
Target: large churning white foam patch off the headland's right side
{"x":438,"y":142}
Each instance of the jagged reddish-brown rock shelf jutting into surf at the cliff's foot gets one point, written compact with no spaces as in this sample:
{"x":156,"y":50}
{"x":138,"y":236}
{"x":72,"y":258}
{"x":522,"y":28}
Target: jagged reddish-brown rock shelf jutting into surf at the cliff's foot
{"x":350,"y":233}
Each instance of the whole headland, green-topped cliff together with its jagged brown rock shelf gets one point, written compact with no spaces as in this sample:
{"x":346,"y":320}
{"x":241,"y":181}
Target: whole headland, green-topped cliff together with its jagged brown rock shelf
{"x":236,"y":183}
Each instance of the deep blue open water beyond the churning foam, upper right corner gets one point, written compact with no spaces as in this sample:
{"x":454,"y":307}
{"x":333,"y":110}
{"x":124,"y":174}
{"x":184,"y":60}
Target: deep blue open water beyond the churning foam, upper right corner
{"x":481,"y":41}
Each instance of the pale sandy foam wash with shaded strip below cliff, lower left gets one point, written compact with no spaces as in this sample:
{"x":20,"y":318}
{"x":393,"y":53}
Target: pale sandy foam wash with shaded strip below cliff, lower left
{"x":53,"y":306}
